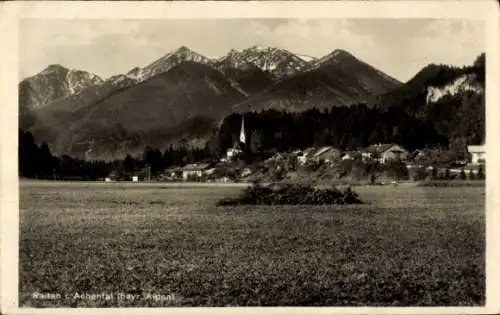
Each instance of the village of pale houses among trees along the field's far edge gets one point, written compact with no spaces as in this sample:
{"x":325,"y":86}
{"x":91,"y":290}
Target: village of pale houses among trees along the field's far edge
{"x":376,"y":163}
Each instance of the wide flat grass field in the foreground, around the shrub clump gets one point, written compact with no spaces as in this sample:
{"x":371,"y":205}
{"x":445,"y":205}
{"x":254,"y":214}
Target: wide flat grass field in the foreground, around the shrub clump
{"x":154,"y":245}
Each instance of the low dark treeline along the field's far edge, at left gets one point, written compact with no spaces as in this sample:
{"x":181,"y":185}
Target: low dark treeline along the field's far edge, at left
{"x":37,"y":161}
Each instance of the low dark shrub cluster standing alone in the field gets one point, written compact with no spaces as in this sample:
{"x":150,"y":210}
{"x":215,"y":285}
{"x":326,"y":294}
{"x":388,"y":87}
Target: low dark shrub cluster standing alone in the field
{"x":292,"y":194}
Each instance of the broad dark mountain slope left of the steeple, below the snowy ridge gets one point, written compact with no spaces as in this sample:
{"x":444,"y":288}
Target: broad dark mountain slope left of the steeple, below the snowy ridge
{"x":182,"y":103}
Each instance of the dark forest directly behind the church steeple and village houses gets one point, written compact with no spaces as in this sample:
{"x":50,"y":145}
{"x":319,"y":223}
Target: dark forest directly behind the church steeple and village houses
{"x":343,"y":127}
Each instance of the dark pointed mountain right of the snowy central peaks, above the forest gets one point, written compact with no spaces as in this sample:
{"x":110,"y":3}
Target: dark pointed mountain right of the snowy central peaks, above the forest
{"x":338,"y":79}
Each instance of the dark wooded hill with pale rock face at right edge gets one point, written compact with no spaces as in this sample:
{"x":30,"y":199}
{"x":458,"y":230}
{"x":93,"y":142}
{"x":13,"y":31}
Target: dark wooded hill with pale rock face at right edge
{"x":451,"y":99}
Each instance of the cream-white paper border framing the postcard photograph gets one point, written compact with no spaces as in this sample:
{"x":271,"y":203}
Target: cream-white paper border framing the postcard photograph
{"x":11,"y":12}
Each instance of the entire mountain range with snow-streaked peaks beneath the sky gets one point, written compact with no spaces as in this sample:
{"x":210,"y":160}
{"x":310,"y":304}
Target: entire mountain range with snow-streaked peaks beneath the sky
{"x":183,"y":96}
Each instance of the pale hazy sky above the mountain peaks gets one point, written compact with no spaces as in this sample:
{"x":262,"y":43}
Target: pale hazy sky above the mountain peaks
{"x":399,"y":48}
